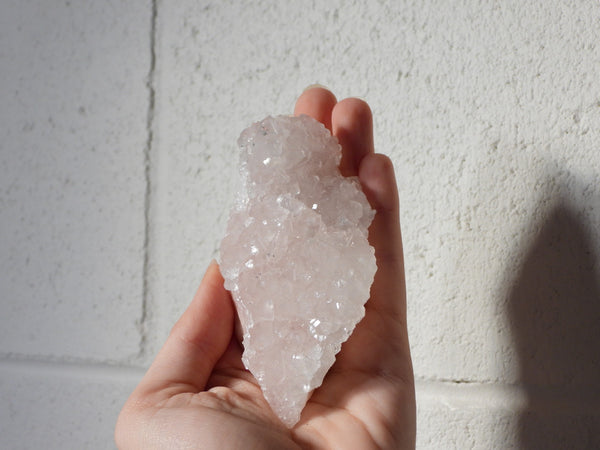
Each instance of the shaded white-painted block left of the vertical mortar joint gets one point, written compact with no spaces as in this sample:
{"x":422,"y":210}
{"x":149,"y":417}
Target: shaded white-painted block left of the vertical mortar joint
{"x":72,"y":185}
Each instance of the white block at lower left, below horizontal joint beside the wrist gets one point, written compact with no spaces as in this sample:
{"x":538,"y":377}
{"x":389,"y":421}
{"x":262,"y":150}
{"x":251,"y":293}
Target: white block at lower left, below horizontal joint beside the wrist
{"x":52,"y":406}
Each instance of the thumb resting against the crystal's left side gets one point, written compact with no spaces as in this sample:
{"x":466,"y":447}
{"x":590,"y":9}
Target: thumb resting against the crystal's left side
{"x":197,"y":341}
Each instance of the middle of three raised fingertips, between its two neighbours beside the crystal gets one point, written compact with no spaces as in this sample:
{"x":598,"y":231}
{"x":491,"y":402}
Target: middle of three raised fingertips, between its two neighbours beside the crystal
{"x":352,"y":123}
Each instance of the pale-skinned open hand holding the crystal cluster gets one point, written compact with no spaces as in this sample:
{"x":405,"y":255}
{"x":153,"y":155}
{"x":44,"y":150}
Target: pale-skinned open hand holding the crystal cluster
{"x":197,"y":393}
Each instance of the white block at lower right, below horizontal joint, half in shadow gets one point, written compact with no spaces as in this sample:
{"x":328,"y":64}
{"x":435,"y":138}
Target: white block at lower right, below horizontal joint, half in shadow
{"x":484,"y":416}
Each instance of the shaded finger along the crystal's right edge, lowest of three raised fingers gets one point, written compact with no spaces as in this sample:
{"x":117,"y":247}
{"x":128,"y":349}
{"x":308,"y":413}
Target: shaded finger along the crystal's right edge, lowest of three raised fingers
{"x":388,"y":292}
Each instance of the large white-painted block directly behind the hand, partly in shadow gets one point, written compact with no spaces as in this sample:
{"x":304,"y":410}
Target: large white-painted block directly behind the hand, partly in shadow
{"x":492,"y":135}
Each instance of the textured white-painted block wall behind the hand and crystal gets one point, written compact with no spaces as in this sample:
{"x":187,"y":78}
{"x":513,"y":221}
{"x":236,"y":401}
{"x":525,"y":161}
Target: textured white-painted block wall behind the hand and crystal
{"x":118,"y":123}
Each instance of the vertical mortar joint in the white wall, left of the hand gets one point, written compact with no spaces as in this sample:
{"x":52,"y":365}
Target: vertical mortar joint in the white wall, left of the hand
{"x":148,"y":195}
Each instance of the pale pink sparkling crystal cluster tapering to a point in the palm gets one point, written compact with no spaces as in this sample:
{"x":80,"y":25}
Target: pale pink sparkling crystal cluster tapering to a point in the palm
{"x":295,"y":257}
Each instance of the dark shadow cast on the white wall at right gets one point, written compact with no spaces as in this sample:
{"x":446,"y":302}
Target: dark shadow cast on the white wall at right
{"x":554,"y":311}
